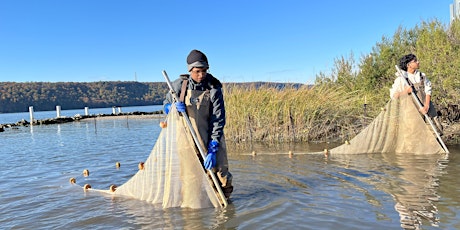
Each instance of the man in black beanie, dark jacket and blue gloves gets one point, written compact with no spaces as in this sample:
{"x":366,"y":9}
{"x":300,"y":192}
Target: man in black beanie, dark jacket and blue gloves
{"x":200,"y":95}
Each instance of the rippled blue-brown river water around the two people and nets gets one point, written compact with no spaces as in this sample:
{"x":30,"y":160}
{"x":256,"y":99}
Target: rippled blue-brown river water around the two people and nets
{"x":272,"y":190}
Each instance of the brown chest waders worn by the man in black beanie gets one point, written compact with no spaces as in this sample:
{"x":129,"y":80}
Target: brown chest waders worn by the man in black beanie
{"x":199,"y":108}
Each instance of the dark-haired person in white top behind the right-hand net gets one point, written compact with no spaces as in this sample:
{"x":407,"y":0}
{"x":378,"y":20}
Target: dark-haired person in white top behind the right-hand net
{"x":409,"y":78}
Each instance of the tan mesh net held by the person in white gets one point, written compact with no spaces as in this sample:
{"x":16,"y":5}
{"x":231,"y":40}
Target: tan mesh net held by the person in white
{"x":399,"y":128}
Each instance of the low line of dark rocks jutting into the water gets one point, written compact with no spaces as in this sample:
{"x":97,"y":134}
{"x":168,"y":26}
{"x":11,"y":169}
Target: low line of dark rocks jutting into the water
{"x":78,"y":117}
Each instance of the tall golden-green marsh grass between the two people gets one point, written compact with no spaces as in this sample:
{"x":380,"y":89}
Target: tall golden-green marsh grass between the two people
{"x":319,"y":113}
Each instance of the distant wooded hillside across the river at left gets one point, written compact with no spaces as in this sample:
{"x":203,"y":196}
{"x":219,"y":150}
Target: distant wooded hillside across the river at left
{"x":44,"y":96}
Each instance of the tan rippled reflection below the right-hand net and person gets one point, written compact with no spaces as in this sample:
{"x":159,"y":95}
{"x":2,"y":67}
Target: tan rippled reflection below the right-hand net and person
{"x":412,"y":181}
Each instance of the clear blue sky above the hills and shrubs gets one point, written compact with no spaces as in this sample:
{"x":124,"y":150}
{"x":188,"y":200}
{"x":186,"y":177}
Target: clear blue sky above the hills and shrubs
{"x":244,"y":40}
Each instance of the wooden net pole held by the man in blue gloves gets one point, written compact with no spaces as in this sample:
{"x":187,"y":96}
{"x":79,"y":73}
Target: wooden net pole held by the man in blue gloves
{"x":223,"y":202}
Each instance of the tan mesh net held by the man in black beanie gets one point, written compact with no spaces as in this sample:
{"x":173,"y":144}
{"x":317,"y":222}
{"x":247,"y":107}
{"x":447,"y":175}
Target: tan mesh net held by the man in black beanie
{"x":173,"y":175}
